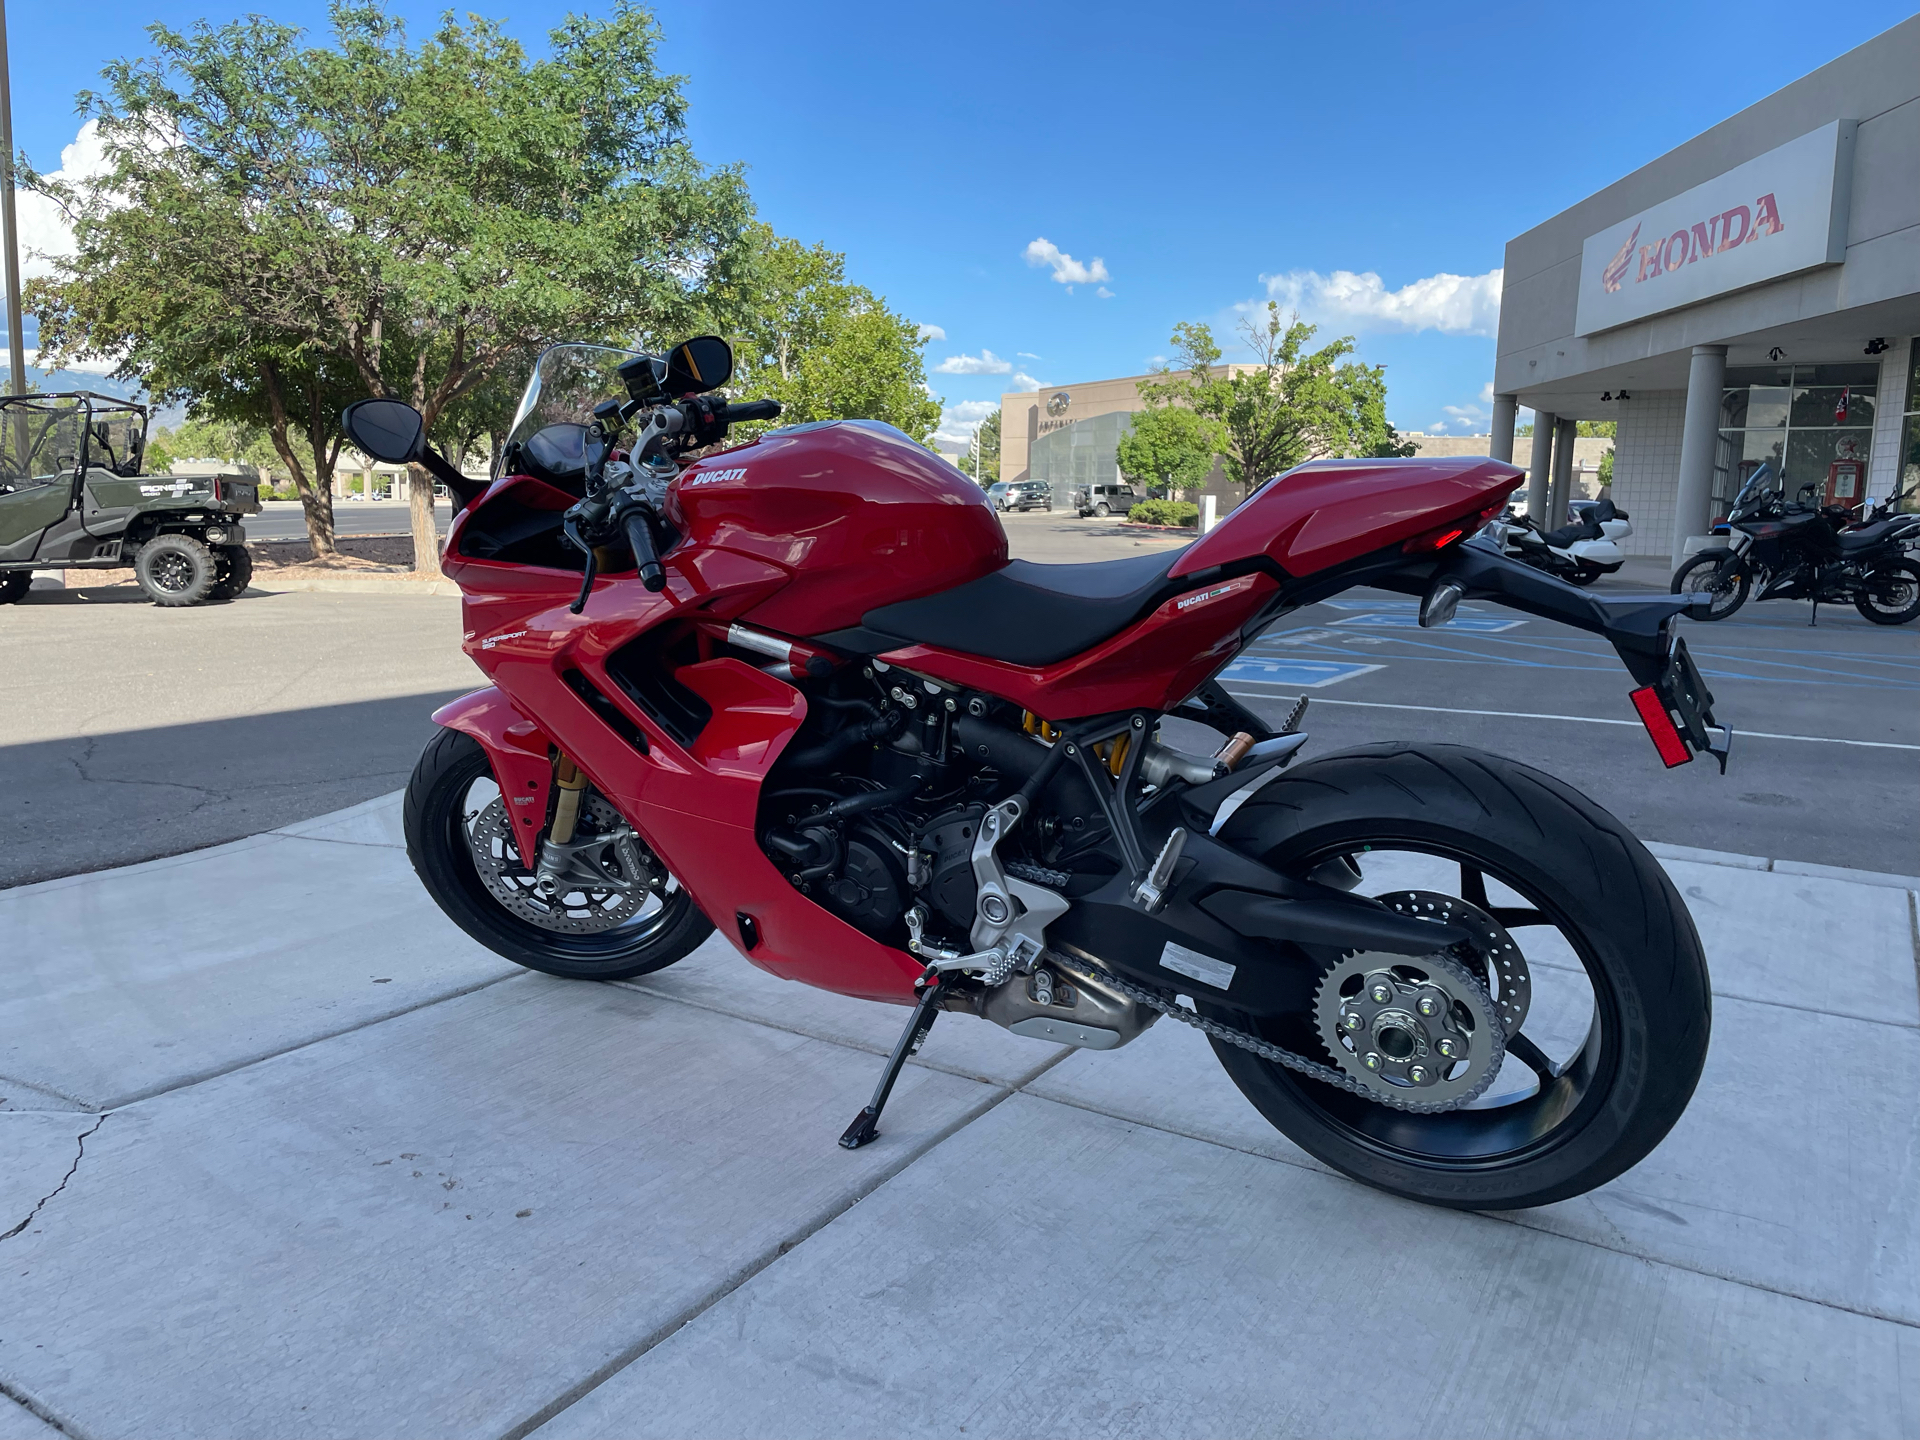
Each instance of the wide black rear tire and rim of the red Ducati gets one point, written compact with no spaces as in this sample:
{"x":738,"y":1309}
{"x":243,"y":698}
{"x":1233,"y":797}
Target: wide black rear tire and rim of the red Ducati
{"x":1570,"y":1126}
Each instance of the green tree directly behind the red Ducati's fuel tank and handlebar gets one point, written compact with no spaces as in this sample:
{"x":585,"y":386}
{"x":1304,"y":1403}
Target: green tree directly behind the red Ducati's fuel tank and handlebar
{"x":825,"y":348}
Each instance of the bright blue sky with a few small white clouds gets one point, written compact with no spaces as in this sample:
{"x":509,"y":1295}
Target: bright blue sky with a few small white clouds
{"x":1055,"y":187}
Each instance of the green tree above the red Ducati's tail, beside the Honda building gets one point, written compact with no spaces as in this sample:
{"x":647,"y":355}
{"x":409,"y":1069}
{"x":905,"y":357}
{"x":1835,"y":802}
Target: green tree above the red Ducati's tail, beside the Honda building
{"x":1287,"y":408}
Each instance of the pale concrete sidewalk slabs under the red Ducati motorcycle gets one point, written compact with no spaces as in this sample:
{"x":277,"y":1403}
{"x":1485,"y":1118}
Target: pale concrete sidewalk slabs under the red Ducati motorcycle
{"x":289,"y":1155}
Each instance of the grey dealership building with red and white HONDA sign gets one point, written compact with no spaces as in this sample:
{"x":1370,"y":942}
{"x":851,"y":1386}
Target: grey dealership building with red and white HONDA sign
{"x":1750,"y":299}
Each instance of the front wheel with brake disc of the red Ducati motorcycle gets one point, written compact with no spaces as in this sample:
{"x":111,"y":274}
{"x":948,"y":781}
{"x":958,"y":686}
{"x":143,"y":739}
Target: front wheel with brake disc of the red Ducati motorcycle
{"x":617,"y":926}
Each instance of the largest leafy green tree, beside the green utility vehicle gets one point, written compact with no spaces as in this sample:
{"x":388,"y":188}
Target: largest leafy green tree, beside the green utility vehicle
{"x":412,"y":218}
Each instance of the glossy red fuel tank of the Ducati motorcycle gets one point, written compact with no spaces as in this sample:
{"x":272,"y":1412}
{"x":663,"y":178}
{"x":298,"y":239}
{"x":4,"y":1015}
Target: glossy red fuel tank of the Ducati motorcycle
{"x":853,"y":510}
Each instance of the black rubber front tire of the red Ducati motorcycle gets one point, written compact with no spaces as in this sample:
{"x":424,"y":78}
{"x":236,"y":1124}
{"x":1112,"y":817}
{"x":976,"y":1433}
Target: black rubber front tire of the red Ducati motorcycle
{"x":437,"y":823}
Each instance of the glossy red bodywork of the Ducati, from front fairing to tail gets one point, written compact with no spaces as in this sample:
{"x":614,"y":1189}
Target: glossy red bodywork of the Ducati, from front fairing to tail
{"x":804,"y":535}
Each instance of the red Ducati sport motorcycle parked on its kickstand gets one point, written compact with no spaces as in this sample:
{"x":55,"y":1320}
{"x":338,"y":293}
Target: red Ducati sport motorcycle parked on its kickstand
{"x":798,"y":692}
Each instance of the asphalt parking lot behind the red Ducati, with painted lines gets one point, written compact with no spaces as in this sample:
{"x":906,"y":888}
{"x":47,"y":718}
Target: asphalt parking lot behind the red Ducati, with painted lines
{"x":133,"y":732}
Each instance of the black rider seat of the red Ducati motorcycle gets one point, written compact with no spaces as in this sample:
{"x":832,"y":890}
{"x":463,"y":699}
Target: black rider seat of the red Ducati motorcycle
{"x":1032,"y":613}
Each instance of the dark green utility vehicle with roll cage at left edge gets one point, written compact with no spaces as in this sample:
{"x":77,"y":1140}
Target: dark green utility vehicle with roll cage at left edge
{"x":72,"y":498}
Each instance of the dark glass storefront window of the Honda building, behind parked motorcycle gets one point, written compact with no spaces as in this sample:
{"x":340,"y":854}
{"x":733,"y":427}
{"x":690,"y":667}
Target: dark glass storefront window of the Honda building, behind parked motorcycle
{"x":1798,"y":420}
